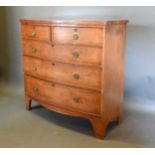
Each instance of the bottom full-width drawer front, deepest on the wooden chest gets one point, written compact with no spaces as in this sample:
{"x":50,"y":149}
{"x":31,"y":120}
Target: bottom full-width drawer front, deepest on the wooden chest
{"x":67,"y":97}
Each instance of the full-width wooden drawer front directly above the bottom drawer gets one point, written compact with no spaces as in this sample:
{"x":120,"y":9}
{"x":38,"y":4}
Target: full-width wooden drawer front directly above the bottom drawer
{"x":86,"y":77}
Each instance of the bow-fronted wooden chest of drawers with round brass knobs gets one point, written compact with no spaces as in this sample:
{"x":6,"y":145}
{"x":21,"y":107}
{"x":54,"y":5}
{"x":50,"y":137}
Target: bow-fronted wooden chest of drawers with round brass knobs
{"x":75,"y":68}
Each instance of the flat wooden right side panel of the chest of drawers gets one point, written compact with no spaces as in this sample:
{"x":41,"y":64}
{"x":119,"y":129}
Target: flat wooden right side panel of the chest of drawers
{"x":114,"y":57}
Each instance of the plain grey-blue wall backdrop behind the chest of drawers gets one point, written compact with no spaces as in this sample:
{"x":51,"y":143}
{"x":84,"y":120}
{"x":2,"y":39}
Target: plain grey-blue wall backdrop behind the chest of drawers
{"x":140,"y":46}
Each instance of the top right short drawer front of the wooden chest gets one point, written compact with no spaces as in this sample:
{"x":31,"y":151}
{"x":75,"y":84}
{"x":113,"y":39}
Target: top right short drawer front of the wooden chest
{"x":80,"y":36}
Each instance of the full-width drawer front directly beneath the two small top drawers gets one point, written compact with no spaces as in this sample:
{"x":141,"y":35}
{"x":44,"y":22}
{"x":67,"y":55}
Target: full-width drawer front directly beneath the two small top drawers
{"x":68,"y":54}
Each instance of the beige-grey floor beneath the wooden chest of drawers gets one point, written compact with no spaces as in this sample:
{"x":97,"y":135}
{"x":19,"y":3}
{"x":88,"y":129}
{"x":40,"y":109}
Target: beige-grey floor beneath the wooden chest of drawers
{"x":43,"y":128}
